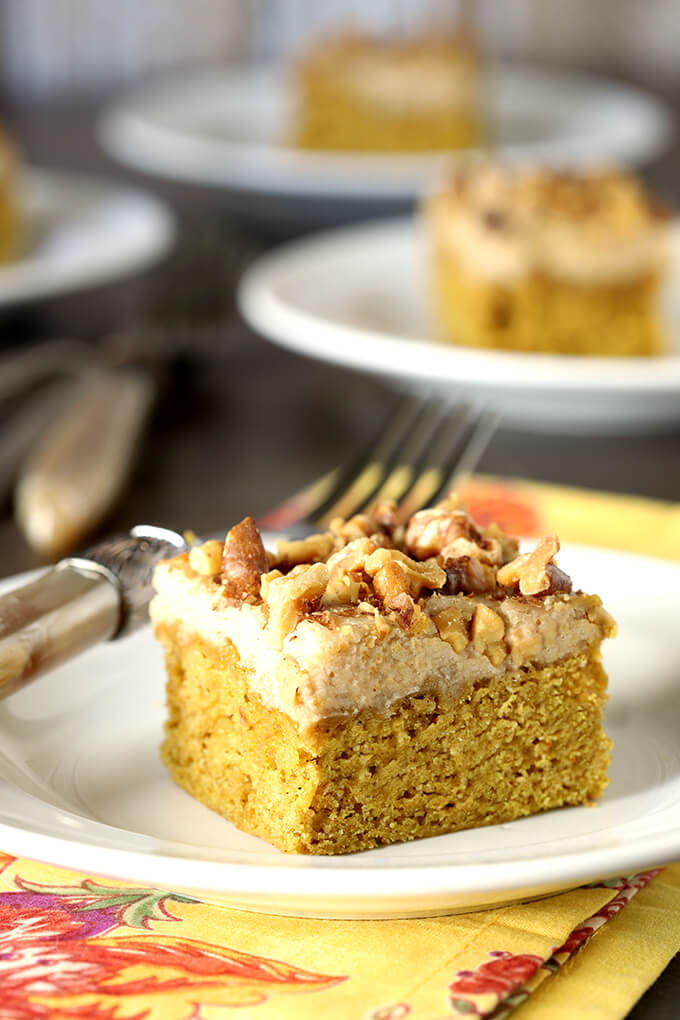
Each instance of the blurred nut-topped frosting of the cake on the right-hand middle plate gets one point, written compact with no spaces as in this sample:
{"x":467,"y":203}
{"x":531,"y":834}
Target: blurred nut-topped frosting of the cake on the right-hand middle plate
{"x":503,"y":225}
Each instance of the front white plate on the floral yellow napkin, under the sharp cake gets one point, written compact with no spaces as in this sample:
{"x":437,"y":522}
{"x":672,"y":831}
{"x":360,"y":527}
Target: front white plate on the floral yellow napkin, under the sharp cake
{"x":82,"y":786}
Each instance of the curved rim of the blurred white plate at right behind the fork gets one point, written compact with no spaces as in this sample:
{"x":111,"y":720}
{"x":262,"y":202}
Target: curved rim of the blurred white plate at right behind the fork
{"x":284,"y":324}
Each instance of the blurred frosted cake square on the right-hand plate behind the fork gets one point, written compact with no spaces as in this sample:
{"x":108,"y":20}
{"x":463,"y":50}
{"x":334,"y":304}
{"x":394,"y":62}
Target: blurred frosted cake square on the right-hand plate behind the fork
{"x":540,"y":261}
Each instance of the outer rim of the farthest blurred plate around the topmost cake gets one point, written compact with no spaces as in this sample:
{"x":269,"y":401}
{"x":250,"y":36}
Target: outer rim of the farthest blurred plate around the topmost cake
{"x":132,"y":136}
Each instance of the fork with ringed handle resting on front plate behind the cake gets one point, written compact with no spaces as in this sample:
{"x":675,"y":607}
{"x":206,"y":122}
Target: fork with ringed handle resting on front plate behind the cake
{"x":104,"y":593}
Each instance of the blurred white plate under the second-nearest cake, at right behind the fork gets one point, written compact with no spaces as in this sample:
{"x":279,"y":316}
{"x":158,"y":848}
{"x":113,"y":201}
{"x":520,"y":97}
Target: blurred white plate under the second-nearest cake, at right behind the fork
{"x":358,"y":296}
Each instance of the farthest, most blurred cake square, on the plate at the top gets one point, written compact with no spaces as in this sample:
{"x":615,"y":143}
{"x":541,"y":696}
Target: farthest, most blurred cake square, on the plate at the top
{"x":359,"y":93}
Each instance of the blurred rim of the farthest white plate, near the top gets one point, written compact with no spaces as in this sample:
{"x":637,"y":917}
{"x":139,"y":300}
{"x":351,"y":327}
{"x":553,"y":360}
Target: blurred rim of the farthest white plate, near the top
{"x":133,"y":131}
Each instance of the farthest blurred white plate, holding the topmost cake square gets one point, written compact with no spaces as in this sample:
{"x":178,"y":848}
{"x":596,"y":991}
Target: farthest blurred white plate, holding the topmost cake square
{"x":229,"y":128}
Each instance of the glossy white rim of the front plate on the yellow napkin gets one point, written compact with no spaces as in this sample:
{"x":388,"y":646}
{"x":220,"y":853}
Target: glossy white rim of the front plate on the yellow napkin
{"x":328,"y":887}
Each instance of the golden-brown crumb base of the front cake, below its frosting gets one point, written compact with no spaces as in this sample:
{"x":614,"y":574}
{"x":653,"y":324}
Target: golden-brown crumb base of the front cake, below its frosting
{"x":526,"y":742}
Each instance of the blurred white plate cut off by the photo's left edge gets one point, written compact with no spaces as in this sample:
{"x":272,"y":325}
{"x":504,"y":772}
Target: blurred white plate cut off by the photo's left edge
{"x":81,"y":232}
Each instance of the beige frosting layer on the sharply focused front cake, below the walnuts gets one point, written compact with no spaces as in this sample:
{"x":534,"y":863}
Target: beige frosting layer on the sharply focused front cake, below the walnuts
{"x":345,"y":660}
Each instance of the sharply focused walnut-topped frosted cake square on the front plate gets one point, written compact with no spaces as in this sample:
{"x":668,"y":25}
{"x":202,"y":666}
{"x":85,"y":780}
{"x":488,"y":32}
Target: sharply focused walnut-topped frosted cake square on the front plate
{"x":379,"y":683}
